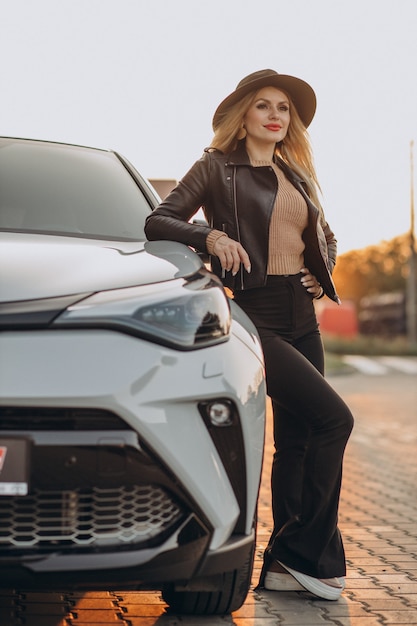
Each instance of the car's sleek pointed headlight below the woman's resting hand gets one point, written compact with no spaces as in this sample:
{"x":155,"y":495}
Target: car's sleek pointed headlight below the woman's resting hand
{"x":182,"y":314}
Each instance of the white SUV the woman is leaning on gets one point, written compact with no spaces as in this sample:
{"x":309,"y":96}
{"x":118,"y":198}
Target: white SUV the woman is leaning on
{"x":132,"y":392}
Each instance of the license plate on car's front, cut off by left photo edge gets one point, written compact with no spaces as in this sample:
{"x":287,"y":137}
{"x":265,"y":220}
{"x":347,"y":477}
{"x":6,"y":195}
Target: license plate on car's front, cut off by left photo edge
{"x":14,"y":466}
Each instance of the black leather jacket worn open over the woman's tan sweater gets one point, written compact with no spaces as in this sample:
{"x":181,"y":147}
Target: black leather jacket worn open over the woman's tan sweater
{"x":238,"y":199}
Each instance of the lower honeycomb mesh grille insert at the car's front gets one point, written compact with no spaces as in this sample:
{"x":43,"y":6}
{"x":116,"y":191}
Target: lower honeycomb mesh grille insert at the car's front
{"x":87,"y":518}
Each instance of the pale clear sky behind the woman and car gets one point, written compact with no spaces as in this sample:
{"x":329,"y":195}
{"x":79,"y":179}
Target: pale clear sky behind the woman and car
{"x":144,"y":77}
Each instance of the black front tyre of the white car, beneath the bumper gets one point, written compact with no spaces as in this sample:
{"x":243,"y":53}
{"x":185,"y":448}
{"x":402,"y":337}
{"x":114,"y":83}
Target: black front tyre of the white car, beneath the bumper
{"x":227,"y":592}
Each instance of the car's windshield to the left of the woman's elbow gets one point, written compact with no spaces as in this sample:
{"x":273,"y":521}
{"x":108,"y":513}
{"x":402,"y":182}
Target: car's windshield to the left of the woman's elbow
{"x":68,"y":190}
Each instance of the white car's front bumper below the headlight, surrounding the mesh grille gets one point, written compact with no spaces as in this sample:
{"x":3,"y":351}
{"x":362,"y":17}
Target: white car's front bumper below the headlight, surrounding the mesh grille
{"x":154,"y":392}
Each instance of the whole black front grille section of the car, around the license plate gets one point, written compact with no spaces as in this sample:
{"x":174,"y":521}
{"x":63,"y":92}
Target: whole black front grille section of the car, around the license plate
{"x":101,"y":495}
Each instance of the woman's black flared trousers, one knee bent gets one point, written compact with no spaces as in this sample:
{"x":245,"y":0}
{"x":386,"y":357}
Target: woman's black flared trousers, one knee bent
{"x":312,"y":425}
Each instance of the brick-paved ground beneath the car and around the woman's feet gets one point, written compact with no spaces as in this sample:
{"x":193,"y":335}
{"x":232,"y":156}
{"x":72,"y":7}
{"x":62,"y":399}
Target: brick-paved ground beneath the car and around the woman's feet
{"x":377,"y":518}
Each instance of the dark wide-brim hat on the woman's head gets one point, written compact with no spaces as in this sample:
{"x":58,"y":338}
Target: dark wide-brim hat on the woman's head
{"x":300,"y":92}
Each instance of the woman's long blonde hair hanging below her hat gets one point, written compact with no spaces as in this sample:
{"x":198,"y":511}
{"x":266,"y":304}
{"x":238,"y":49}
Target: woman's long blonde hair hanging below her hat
{"x":295,"y":150}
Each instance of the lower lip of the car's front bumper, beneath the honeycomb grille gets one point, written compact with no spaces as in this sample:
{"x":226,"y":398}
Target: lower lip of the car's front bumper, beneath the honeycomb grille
{"x":134,"y":570}
